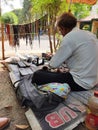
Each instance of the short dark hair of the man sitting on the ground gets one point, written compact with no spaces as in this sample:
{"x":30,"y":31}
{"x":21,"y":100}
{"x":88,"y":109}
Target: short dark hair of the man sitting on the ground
{"x":67,"y":20}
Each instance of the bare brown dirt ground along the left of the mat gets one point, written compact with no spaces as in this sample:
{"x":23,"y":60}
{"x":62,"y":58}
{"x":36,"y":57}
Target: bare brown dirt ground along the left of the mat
{"x":9,"y":105}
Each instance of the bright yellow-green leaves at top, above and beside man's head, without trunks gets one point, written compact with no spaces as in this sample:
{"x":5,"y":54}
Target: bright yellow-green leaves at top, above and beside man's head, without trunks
{"x":59,"y":6}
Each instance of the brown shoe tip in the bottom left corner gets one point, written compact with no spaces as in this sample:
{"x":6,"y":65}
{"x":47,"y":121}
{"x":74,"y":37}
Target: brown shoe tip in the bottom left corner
{"x":4,"y":122}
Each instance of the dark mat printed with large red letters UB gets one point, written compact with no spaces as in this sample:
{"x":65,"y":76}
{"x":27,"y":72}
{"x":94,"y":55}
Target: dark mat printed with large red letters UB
{"x":65,"y":117}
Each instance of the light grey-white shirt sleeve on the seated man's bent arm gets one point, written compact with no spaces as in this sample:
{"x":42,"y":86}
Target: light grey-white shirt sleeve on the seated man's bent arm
{"x":62,"y":54}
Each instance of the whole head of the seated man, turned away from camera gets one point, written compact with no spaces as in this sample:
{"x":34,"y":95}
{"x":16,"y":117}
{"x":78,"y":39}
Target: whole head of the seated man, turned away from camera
{"x":66,"y":22}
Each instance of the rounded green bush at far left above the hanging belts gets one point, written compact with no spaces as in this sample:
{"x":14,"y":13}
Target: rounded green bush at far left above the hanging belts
{"x":9,"y":18}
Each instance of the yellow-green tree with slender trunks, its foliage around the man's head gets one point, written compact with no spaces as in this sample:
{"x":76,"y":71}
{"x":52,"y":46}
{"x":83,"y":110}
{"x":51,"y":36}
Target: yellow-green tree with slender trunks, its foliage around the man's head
{"x":53,"y":8}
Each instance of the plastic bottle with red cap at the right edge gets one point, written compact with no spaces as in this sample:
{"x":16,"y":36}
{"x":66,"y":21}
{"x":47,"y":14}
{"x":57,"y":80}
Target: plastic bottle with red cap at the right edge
{"x":91,"y":119}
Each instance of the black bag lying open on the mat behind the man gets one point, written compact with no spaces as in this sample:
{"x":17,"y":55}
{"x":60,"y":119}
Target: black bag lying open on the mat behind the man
{"x":31,"y":96}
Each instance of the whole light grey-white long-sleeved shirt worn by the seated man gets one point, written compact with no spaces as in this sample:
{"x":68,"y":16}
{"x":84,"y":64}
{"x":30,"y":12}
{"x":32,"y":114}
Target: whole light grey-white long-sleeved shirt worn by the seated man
{"x":79,"y":50}
